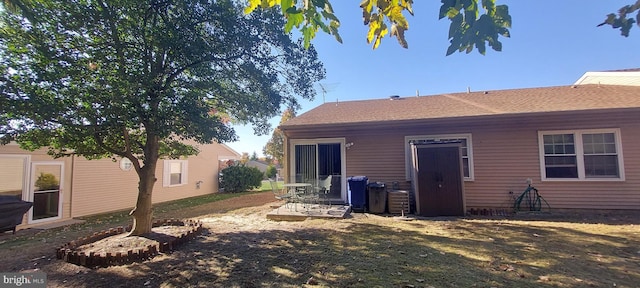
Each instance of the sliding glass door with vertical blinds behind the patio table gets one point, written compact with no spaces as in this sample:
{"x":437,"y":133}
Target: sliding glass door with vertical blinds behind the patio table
{"x":320,"y":161}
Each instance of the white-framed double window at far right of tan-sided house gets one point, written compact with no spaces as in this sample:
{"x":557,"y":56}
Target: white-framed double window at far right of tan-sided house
{"x":581,"y":154}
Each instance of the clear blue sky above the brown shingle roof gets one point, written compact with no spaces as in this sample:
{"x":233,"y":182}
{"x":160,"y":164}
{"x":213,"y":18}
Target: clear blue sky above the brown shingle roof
{"x":552,"y":43}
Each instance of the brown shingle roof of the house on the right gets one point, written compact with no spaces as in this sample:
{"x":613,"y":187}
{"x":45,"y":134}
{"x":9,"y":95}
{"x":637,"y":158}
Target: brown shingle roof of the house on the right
{"x":502,"y":102}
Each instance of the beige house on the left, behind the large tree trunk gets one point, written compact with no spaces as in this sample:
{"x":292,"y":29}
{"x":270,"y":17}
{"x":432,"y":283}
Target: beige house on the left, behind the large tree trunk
{"x":74,"y":186}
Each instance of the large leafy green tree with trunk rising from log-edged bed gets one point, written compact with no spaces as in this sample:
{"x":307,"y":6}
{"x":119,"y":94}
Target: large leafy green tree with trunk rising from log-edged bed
{"x":139,"y":79}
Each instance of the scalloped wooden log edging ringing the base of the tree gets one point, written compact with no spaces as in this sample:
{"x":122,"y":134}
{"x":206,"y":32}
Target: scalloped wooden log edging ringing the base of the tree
{"x":68,"y":253}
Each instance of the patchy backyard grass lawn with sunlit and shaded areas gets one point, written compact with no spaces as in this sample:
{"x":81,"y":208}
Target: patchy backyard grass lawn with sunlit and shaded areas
{"x":243,"y":249}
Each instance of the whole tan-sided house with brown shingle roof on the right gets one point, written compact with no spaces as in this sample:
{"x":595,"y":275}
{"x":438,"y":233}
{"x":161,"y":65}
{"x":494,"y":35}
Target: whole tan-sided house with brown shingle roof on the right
{"x":579,"y":144}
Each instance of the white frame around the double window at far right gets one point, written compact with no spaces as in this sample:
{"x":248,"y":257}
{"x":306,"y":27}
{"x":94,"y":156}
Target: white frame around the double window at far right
{"x":579,"y":151}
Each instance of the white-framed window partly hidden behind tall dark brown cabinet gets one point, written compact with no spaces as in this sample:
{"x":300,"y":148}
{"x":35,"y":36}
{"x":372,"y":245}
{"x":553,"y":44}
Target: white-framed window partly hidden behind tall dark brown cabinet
{"x":465,"y":150}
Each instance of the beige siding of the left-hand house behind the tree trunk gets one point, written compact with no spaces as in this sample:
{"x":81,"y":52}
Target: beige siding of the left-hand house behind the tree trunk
{"x":99,"y":186}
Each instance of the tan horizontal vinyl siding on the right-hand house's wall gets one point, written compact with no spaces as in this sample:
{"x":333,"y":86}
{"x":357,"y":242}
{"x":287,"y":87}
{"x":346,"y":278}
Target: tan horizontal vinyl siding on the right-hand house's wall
{"x":505,"y":154}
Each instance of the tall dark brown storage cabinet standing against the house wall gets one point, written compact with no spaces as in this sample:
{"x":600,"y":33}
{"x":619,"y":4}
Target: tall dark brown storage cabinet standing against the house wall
{"x":439,"y":182}
